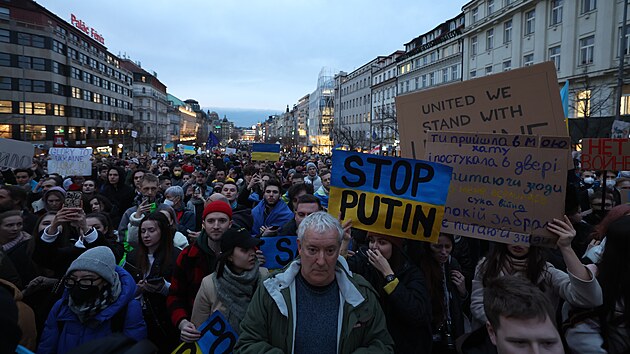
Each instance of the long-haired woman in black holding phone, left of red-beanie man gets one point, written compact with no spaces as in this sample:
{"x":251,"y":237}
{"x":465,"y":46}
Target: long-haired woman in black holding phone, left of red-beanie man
{"x":151,"y":264}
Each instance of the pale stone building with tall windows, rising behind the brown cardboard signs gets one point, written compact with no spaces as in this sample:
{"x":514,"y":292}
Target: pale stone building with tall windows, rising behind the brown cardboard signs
{"x":581,"y":37}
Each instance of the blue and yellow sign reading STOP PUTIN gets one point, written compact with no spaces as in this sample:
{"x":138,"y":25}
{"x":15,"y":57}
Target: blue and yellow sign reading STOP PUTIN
{"x":389,"y":195}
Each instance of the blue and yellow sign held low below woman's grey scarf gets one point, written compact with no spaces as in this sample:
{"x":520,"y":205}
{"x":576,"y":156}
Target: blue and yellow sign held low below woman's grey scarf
{"x":217,"y":336}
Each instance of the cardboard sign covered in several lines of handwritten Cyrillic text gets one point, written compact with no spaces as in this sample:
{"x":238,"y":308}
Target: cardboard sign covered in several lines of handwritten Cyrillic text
{"x":504,"y":188}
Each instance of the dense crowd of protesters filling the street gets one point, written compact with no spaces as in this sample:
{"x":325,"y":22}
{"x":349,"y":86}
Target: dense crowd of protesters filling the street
{"x":158,"y":244}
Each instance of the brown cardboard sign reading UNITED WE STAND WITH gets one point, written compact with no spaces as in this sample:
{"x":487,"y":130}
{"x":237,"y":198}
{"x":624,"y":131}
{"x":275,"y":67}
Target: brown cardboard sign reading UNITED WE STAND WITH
{"x":521,"y":101}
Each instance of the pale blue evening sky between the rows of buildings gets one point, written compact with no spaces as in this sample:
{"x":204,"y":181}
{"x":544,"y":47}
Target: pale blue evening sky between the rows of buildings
{"x":258,"y":54}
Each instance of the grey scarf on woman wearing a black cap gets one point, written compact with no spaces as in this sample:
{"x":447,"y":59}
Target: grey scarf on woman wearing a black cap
{"x":235,"y":291}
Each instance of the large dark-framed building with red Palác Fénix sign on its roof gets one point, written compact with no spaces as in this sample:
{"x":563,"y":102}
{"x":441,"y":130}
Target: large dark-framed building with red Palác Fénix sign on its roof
{"x":59,"y":85}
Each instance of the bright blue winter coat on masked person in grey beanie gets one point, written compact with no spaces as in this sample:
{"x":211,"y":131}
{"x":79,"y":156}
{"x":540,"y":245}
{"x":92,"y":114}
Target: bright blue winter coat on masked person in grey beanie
{"x":75,"y":333}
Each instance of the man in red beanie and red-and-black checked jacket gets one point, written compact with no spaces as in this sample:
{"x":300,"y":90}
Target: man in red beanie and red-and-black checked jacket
{"x":193,"y":264}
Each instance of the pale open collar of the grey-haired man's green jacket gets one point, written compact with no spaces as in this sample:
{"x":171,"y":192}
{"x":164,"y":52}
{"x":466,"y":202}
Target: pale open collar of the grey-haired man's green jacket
{"x":286,"y":279}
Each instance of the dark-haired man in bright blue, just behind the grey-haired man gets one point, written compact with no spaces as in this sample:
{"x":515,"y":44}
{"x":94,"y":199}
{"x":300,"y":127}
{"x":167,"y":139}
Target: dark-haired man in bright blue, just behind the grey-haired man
{"x":271,"y":212}
